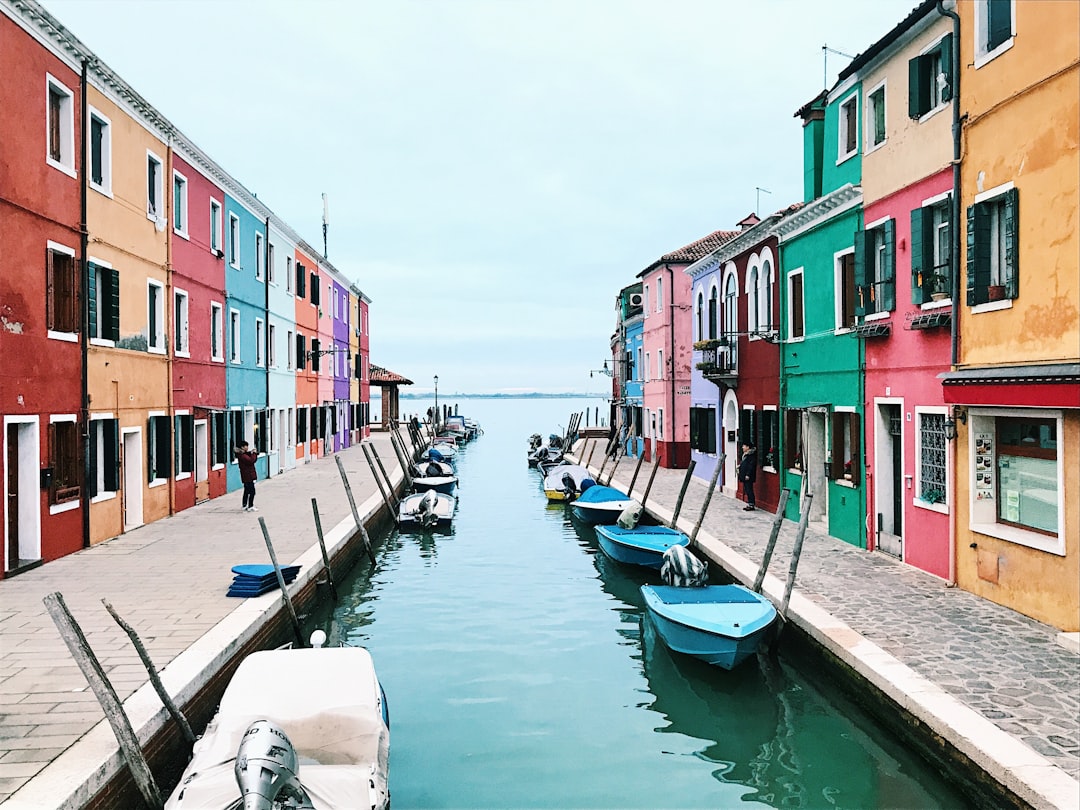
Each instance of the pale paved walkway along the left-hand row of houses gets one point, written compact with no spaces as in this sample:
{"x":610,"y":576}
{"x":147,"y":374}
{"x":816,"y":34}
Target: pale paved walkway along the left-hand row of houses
{"x":168,"y":579}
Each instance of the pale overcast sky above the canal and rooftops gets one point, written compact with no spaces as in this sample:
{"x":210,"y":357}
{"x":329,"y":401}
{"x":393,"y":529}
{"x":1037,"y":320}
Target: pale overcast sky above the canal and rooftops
{"x":496,"y":170}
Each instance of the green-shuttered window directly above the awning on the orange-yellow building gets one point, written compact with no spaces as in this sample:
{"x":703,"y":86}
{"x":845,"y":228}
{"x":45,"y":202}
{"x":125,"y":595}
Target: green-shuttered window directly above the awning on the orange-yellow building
{"x":994,"y":249}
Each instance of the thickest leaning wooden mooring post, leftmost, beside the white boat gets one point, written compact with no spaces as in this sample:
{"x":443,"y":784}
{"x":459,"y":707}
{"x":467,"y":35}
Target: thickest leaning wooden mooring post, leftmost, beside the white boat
{"x":92,"y":670}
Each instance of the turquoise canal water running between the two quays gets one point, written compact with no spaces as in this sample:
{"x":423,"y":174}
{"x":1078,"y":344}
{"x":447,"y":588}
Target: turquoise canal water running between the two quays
{"x":521,"y":672}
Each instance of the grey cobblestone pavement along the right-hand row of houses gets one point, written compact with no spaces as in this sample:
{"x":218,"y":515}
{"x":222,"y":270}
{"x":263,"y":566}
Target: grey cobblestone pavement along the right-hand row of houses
{"x":1008,"y":668}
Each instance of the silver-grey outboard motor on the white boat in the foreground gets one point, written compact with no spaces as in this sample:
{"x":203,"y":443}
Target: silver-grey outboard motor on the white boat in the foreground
{"x":267,"y":768}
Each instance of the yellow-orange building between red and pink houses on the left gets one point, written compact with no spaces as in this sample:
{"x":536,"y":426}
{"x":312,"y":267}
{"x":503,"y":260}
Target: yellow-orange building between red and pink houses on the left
{"x":129,"y":221}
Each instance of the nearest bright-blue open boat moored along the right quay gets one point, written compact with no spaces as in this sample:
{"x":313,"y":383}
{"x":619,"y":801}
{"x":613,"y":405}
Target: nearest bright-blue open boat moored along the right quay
{"x":721,"y":625}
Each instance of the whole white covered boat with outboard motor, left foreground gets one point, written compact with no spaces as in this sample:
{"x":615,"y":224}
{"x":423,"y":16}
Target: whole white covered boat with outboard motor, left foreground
{"x":296,"y":728}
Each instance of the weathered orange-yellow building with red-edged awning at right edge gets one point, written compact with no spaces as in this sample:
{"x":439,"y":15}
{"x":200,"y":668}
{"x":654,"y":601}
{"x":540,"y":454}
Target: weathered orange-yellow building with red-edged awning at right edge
{"x":1016,"y":382}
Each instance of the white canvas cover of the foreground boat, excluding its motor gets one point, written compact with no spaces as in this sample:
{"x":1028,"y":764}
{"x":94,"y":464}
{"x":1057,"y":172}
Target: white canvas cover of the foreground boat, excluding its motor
{"x":328,"y":703}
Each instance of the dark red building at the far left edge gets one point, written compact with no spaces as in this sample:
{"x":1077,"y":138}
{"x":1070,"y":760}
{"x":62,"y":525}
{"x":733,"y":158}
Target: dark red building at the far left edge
{"x":42,"y":313}
